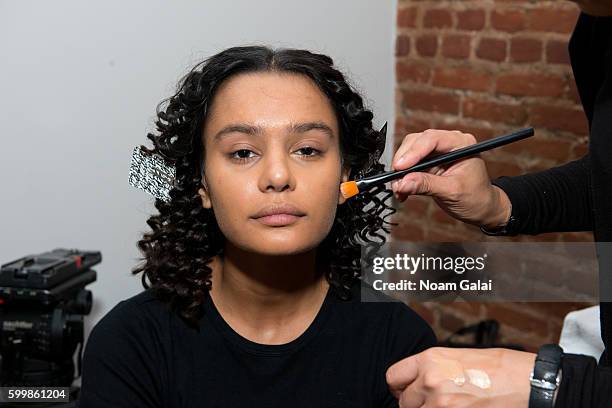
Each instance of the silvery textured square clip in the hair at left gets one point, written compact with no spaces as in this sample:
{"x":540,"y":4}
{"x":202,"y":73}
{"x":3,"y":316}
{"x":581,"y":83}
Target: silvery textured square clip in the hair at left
{"x":152,"y":173}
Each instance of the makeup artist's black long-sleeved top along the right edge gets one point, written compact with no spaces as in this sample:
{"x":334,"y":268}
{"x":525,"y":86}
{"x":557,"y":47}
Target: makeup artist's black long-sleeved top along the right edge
{"x":578,"y":196}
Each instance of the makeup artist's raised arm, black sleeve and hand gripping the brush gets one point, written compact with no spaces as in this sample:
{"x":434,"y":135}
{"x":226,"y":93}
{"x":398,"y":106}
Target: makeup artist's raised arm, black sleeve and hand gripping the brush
{"x":556,"y":199}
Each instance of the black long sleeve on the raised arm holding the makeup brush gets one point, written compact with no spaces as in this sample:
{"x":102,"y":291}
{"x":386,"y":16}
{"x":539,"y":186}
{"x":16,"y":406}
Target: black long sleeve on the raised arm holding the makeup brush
{"x":553,"y":200}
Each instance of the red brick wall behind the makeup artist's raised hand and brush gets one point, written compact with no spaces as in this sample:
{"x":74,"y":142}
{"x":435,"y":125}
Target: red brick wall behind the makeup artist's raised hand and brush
{"x":486,"y":68}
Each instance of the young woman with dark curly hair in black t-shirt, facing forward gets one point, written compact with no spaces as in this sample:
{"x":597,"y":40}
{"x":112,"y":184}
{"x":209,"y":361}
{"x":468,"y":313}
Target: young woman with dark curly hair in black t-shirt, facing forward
{"x":254,"y":296}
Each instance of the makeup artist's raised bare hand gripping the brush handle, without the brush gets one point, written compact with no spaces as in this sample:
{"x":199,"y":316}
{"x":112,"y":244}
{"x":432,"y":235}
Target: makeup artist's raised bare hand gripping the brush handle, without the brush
{"x":462,"y":188}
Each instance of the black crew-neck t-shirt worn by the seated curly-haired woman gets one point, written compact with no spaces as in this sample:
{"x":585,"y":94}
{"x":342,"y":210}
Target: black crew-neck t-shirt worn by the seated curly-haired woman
{"x":141,"y":354}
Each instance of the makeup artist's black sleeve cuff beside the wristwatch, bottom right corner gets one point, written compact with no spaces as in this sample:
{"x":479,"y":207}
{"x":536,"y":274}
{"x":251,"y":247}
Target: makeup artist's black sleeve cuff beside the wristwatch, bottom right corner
{"x":584,"y":384}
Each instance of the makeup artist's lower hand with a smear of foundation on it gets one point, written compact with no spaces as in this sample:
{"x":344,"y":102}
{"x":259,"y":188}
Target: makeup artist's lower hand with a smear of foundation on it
{"x":440,"y":377}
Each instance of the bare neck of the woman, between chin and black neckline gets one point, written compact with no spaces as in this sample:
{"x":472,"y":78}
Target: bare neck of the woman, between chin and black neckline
{"x":267,"y":299}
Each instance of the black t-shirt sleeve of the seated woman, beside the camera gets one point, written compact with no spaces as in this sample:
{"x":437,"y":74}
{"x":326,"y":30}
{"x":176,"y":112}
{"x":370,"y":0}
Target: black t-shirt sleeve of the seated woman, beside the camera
{"x":120,"y":363}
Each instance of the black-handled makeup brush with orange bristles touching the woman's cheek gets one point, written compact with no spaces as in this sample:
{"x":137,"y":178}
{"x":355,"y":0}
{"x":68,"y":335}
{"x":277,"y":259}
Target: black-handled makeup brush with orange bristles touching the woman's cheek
{"x":352,"y":188}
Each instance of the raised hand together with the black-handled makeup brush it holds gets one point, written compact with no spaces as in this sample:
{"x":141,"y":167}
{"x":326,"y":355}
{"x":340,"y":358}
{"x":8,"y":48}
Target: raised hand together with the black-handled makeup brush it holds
{"x":463,"y":189}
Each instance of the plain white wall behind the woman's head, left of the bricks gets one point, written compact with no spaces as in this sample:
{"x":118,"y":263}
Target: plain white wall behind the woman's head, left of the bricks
{"x":79,"y":82}
